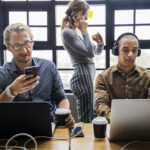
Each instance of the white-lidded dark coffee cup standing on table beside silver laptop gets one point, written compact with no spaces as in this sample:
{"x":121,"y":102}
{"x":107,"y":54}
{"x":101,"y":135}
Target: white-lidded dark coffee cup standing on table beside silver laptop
{"x":99,"y":127}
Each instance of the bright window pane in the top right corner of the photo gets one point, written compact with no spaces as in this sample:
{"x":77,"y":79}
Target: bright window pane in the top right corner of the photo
{"x":142,"y":16}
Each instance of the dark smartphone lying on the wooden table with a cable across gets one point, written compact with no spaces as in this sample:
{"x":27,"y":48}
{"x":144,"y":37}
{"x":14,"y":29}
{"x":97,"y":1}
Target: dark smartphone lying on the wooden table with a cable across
{"x":73,"y":132}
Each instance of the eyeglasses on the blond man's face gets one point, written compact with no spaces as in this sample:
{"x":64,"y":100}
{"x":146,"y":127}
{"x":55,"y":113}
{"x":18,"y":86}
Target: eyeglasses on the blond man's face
{"x":18,"y":47}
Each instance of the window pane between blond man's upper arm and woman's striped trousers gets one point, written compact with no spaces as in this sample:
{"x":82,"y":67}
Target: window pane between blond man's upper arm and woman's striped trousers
{"x":66,"y":77}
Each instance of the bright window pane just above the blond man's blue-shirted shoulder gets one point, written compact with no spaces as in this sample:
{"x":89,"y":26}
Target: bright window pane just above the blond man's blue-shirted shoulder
{"x":45,"y":54}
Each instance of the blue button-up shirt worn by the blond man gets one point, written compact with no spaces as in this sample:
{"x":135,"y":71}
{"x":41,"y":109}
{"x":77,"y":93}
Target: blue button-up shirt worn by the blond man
{"x":50,"y":87}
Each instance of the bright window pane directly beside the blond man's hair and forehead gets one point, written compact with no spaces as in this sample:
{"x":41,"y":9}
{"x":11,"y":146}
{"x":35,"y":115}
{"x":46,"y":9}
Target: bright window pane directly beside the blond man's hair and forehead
{"x":40,"y":34}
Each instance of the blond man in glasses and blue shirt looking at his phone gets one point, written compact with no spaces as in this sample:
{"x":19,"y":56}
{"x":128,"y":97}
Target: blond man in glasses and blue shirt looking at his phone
{"x":16,"y":86}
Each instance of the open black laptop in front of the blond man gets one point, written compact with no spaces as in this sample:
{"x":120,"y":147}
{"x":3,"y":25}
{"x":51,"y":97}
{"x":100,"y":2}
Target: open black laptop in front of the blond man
{"x":25,"y":117}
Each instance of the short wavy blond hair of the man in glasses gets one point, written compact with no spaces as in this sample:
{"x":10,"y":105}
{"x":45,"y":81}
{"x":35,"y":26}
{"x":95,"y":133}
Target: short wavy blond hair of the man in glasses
{"x":16,"y":27}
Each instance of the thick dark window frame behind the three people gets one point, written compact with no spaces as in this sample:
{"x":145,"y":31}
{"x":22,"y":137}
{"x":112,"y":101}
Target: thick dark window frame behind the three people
{"x":49,"y":6}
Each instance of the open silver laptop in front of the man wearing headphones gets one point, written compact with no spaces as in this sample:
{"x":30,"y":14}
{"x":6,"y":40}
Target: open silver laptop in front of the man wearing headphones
{"x":130,"y":120}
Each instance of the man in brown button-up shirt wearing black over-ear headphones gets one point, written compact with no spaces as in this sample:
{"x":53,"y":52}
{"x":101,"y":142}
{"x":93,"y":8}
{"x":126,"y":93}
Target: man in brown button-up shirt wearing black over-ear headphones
{"x":123,"y":81}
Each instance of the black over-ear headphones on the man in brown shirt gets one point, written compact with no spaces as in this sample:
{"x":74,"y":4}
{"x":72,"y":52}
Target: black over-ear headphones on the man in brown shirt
{"x":115,"y":47}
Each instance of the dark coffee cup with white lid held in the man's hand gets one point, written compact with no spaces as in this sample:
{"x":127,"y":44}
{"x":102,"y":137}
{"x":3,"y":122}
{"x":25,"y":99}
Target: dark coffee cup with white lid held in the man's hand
{"x":61,"y":115}
